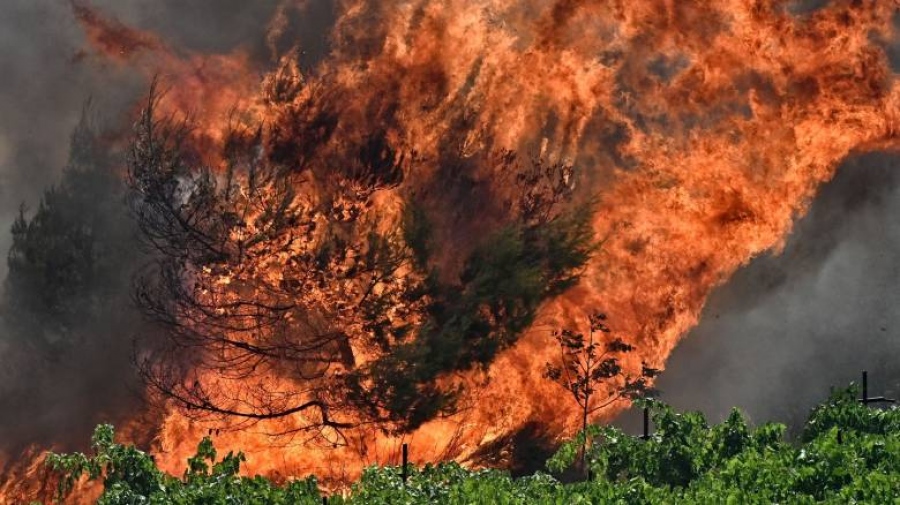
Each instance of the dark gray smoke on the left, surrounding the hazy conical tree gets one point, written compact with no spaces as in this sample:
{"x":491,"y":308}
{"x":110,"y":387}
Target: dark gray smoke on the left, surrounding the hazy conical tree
{"x":48,"y":74}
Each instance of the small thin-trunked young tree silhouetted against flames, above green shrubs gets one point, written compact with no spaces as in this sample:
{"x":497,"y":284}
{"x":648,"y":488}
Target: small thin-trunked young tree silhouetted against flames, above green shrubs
{"x":590,"y":366}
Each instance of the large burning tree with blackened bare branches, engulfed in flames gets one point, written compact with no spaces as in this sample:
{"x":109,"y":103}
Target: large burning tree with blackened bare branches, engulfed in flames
{"x":289,"y":292}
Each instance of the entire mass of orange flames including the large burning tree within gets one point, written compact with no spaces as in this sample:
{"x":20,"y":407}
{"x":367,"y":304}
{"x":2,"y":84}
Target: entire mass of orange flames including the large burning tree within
{"x":377,"y":249}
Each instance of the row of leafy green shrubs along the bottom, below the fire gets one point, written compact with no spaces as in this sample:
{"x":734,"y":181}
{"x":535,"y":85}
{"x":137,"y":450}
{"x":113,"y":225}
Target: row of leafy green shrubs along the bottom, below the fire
{"x":848,"y":453}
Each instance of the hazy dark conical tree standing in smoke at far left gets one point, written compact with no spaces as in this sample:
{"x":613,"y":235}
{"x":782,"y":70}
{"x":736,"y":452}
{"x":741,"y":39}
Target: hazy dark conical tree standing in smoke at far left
{"x":67,"y":260}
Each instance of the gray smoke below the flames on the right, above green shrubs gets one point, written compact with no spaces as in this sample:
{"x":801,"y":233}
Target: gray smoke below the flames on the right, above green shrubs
{"x":786,"y":328}
